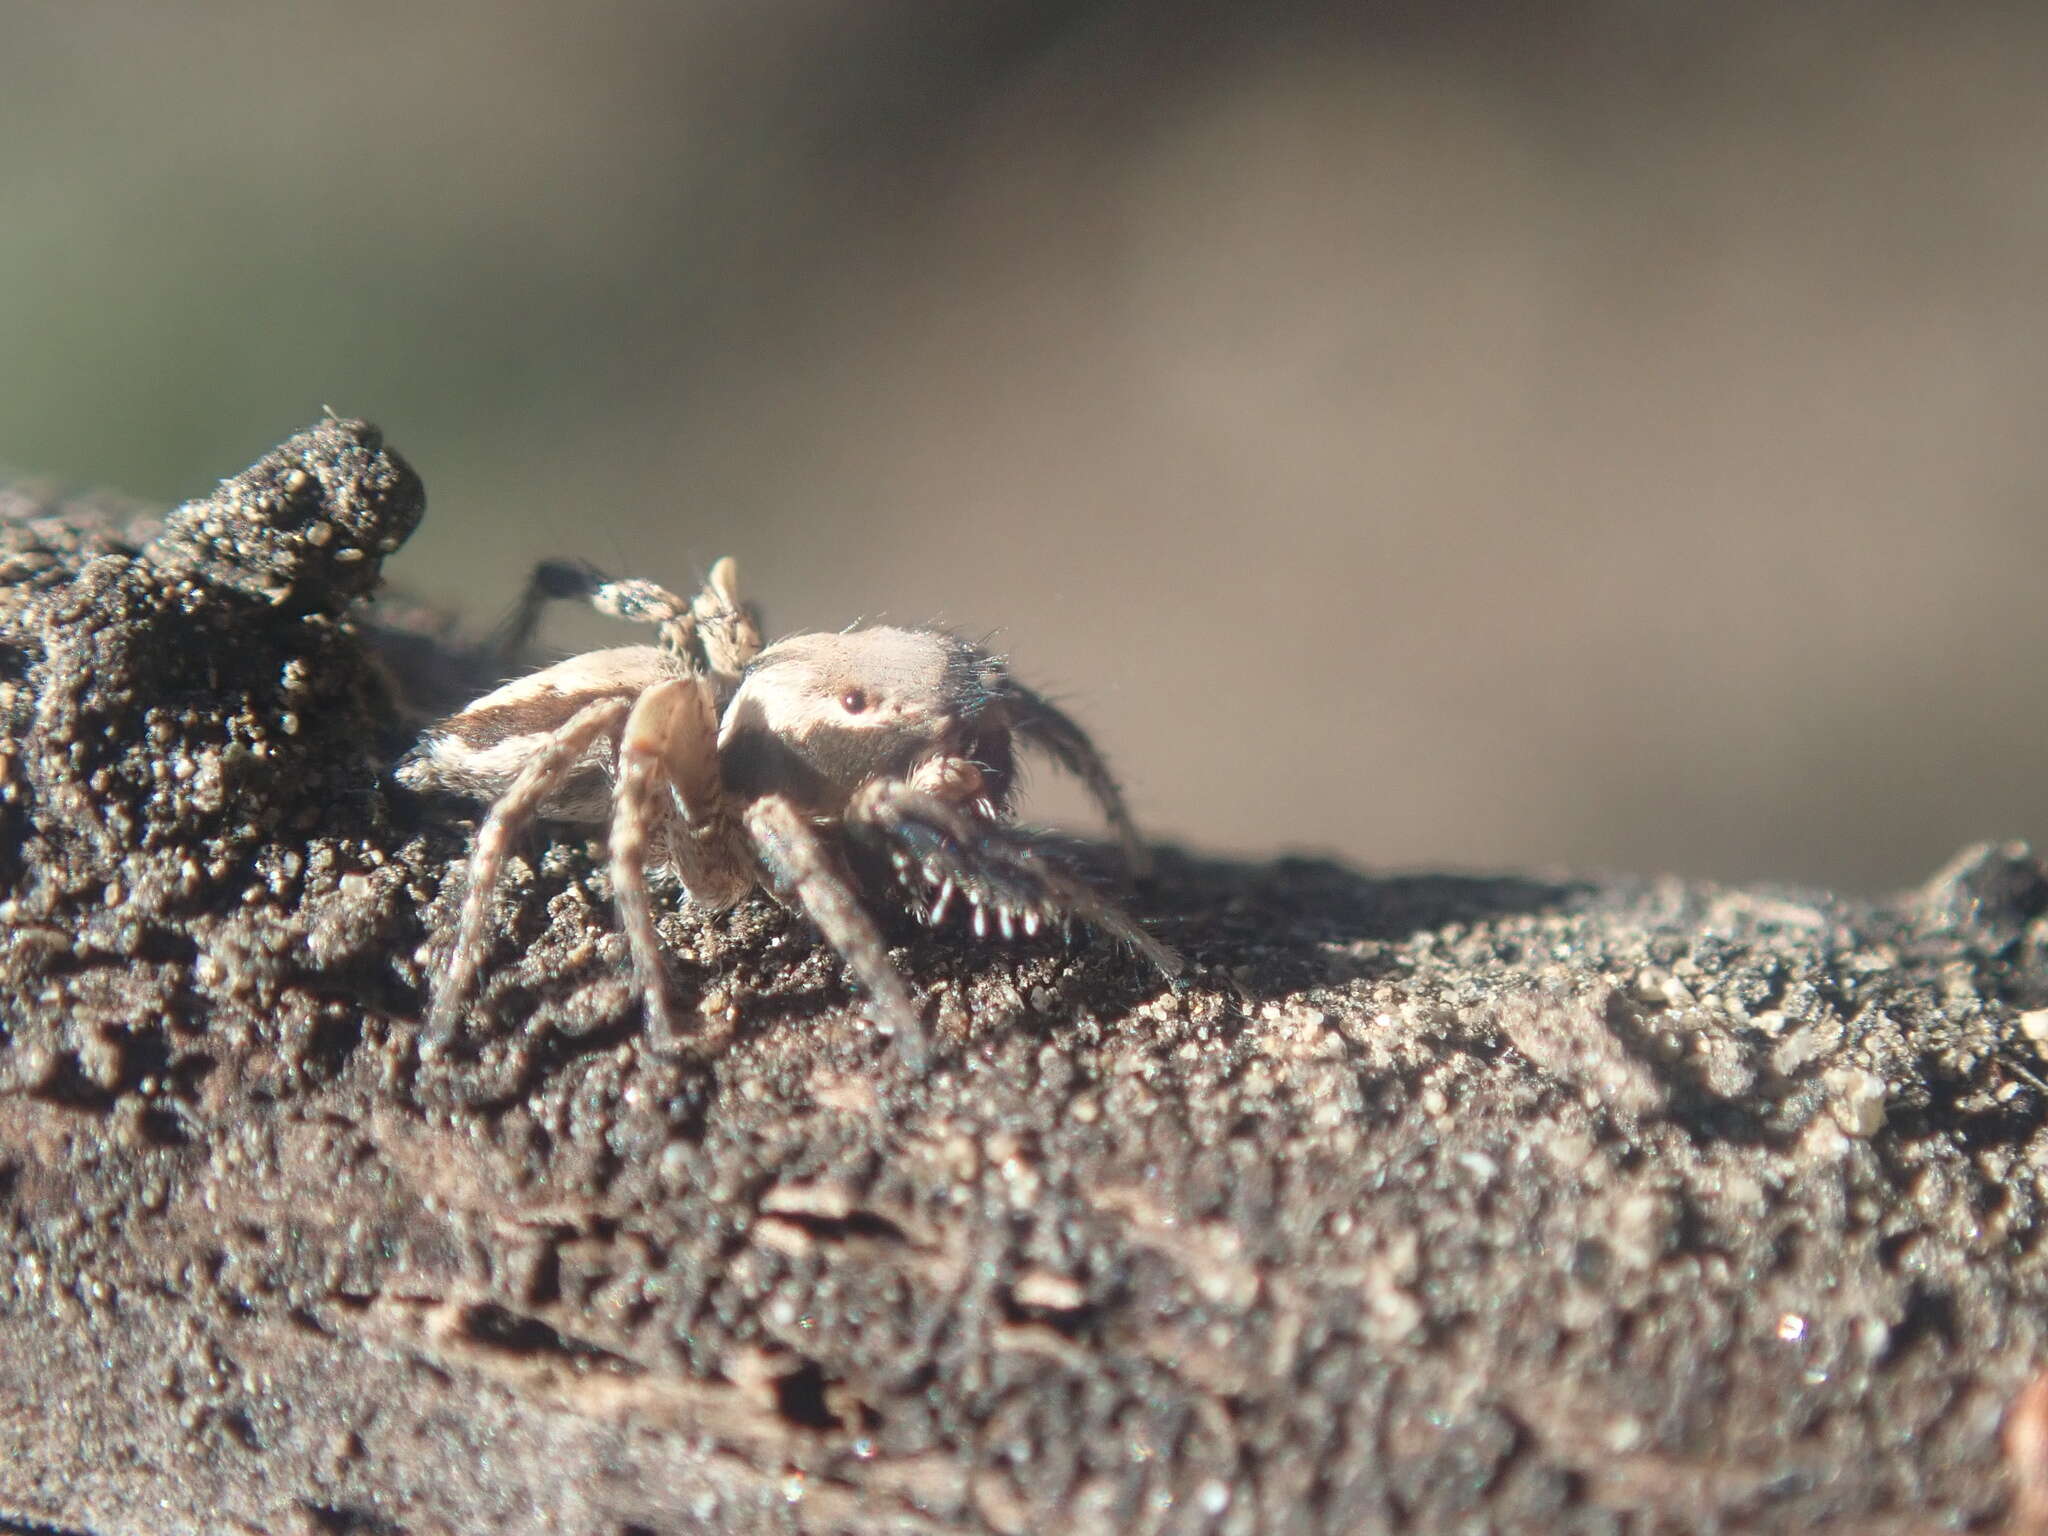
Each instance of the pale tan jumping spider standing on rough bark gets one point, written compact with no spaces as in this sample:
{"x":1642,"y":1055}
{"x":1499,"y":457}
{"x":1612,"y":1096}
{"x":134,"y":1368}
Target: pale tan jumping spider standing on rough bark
{"x":787,"y":769}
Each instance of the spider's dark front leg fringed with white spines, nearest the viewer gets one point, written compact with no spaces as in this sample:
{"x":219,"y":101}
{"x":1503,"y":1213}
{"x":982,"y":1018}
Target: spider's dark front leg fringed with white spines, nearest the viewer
{"x":943,"y":853}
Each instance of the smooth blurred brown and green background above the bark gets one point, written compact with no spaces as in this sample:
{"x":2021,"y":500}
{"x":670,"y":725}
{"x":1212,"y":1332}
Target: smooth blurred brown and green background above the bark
{"x":1609,"y":433}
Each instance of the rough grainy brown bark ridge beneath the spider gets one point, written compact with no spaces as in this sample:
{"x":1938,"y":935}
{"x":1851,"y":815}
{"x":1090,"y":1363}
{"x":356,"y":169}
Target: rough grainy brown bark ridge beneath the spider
{"x":1428,"y":1205}
